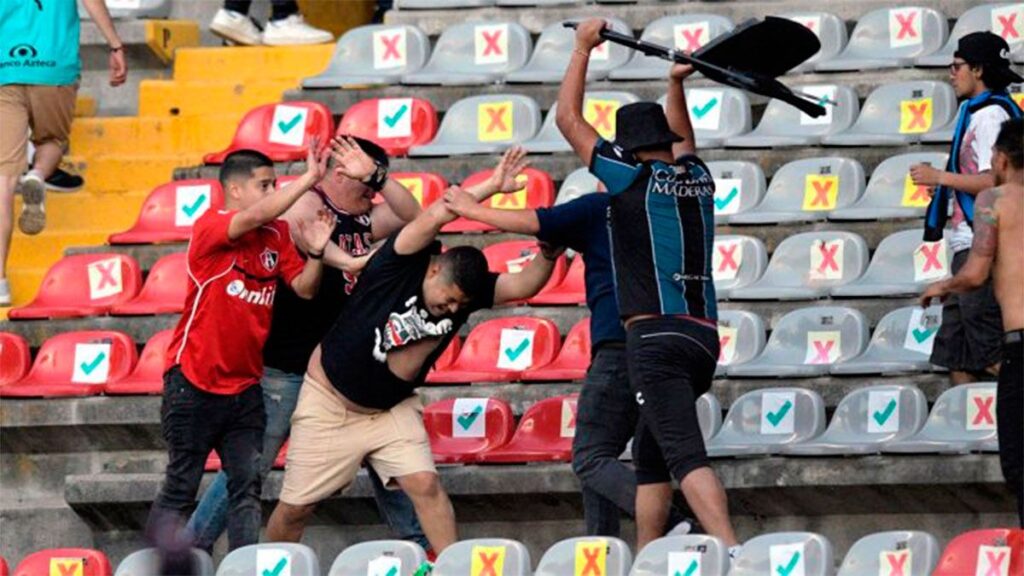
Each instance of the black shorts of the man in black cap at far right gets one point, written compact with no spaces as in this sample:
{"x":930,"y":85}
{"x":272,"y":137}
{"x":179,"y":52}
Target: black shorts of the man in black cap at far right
{"x":971,"y":337}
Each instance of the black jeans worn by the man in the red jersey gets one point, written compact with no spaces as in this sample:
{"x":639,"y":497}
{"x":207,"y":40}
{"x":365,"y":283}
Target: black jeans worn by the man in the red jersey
{"x":195,"y":422}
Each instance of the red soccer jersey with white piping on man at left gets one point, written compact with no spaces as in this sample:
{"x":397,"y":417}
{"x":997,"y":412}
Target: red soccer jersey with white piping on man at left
{"x":220,"y":340}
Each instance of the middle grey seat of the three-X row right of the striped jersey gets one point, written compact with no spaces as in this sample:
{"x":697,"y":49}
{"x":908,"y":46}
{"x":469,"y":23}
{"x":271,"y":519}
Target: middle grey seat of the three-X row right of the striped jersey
{"x":807,"y":266}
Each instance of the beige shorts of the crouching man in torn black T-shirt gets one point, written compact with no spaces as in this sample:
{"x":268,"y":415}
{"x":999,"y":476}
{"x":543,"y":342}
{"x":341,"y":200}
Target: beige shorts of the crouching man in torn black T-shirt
{"x":330,"y":443}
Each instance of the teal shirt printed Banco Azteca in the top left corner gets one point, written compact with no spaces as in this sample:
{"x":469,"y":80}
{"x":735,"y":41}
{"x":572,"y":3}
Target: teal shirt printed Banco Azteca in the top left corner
{"x":39,"y":43}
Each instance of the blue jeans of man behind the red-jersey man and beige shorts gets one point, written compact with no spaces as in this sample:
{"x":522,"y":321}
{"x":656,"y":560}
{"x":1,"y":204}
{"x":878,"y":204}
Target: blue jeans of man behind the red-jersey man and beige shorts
{"x":281,"y":394}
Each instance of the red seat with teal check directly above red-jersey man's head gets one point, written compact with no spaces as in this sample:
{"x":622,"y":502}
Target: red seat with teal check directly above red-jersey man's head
{"x":278,"y":131}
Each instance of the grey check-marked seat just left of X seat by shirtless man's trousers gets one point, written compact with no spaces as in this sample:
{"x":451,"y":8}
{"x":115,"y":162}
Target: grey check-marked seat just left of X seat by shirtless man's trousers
{"x":867,"y":420}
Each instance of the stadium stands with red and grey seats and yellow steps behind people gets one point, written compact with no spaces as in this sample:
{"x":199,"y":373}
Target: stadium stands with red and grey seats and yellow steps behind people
{"x":827,"y":423}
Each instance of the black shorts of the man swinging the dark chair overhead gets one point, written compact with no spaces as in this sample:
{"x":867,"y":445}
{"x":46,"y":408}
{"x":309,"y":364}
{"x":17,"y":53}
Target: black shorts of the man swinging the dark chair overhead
{"x":671,"y":363}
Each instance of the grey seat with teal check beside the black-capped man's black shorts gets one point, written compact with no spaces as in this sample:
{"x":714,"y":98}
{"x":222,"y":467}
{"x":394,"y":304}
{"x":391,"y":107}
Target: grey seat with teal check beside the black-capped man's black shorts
{"x":902,"y":343}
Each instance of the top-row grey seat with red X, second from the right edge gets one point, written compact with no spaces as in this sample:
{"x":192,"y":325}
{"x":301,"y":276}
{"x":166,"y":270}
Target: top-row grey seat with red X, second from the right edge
{"x":890,"y":38}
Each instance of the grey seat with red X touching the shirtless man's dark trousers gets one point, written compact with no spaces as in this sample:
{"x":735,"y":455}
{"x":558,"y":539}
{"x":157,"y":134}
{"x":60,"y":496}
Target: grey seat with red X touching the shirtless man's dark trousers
{"x":963,"y":420}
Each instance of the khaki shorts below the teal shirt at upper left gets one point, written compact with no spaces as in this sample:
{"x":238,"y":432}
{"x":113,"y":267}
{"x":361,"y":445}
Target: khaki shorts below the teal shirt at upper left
{"x":47,"y":110}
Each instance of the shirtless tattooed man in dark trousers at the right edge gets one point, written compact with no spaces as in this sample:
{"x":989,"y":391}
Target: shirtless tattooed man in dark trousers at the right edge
{"x":999,"y":237}
